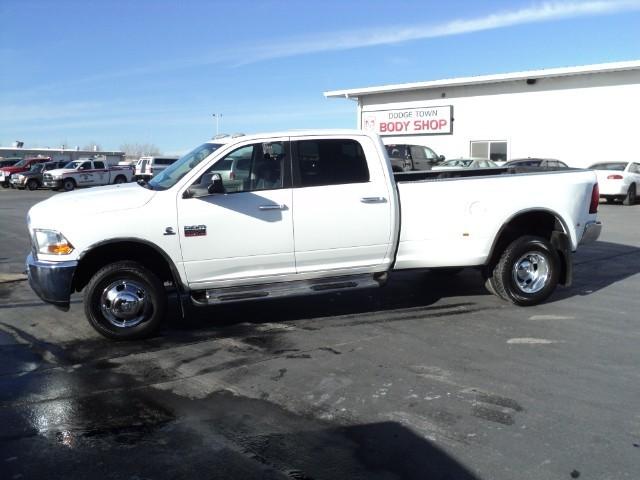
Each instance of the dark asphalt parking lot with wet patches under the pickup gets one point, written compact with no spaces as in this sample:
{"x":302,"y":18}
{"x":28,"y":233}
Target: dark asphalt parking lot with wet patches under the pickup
{"x":427,"y":378}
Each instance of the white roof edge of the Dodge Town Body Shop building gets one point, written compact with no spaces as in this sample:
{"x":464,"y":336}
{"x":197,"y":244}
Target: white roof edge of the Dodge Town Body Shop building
{"x":487,"y":79}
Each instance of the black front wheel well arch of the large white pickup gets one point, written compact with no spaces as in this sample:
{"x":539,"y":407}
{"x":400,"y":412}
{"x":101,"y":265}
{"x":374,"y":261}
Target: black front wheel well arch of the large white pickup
{"x":103,"y":255}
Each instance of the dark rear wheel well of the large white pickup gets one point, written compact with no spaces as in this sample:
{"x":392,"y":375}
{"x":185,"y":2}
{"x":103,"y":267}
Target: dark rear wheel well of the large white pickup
{"x":539,"y":223}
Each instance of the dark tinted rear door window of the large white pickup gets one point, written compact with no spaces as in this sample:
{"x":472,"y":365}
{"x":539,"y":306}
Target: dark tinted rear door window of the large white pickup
{"x":330,"y":162}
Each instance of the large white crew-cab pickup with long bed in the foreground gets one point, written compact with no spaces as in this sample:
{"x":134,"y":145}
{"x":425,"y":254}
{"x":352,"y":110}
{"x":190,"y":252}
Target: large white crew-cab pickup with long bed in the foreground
{"x":318,"y":212}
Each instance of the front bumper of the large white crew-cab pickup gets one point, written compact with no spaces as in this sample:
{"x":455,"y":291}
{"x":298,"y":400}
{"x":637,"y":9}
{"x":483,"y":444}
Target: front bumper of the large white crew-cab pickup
{"x":52,"y":280}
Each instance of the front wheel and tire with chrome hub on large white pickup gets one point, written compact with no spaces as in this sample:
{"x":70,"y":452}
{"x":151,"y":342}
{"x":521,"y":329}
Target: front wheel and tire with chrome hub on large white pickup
{"x":125,"y":301}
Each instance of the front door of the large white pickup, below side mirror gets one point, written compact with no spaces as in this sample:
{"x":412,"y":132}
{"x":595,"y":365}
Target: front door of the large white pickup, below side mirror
{"x":246,"y":234}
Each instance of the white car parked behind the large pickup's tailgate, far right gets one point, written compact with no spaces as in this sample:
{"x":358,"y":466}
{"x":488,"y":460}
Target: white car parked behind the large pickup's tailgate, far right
{"x":618,"y":181}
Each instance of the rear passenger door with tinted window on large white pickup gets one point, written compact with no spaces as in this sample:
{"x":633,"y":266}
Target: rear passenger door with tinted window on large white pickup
{"x":343,"y":216}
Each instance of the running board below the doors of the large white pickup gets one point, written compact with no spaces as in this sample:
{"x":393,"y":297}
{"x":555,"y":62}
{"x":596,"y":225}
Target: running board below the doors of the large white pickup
{"x":216,"y":296}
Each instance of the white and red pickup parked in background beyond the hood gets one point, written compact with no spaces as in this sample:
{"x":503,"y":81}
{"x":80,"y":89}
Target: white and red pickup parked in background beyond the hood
{"x":86,"y":173}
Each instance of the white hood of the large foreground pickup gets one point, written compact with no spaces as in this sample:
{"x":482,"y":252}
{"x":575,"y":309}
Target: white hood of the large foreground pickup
{"x":71,"y":206}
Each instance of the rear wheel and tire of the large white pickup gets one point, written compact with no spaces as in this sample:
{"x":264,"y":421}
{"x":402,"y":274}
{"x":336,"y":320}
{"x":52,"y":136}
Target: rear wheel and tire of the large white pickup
{"x":527,"y":272}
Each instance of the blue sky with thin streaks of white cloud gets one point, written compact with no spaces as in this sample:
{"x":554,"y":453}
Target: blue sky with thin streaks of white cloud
{"x":112,"y":72}
